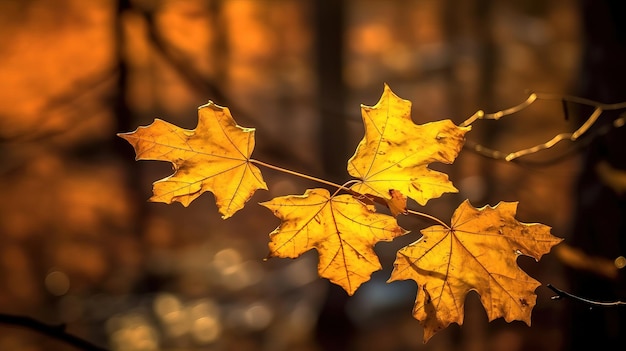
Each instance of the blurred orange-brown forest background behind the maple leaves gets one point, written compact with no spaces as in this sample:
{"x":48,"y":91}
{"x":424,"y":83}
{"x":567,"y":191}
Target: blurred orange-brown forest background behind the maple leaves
{"x":80,"y":245}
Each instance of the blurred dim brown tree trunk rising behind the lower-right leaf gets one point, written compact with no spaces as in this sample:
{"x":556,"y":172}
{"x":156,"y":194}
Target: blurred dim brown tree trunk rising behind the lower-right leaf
{"x":463,"y":33}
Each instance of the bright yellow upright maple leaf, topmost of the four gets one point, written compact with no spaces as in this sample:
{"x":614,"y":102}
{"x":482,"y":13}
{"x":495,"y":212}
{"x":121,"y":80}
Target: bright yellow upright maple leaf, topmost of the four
{"x":395,"y":153}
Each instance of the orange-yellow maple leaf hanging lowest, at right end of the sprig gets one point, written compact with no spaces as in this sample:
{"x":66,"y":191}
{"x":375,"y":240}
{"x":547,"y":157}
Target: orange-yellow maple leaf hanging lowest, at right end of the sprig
{"x":477,"y":252}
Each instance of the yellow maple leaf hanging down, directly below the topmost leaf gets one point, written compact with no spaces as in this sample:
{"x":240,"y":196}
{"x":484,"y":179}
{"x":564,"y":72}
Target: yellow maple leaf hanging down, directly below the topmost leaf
{"x":341,"y":228}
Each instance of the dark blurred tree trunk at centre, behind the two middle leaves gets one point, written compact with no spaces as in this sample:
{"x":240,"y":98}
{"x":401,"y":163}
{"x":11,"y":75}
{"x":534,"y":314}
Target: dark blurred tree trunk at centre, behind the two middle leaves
{"x":334,"y":330}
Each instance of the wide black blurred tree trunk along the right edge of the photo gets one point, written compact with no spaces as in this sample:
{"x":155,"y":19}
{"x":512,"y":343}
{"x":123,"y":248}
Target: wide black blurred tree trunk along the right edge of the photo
{"x":599,"y":225}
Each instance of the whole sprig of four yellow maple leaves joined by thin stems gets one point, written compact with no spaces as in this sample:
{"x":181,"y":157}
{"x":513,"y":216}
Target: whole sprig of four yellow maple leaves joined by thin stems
{"x":477,"y":251}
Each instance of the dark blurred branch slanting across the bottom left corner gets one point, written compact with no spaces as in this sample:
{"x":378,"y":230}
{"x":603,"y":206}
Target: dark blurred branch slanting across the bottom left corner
{"x":53,"y":331}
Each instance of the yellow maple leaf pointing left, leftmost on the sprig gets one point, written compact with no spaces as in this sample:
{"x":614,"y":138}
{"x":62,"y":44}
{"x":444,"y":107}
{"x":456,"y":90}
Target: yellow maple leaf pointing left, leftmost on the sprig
{"x":215,"y":157}
